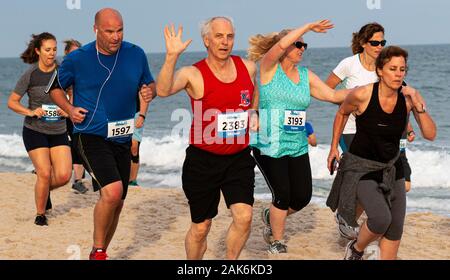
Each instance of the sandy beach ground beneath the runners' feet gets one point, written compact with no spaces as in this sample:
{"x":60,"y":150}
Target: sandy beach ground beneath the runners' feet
{"x":154,"y":222}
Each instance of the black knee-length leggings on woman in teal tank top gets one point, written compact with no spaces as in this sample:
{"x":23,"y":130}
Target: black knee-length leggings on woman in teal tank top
{"x":289,"y":179}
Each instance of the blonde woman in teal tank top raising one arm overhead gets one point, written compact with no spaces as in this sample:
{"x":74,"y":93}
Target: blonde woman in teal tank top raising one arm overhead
{"x":281,"y":145}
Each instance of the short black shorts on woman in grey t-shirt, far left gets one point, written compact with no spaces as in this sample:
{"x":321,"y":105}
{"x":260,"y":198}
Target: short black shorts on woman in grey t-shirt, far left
{"x":34,"y":140}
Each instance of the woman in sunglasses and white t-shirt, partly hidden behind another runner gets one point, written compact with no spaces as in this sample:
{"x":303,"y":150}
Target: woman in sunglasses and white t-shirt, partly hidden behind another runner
{"x":354,"y":71}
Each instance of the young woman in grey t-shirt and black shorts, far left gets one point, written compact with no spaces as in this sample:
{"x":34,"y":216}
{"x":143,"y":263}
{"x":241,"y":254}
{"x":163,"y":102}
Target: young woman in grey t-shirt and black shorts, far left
{"x":44,"y":128}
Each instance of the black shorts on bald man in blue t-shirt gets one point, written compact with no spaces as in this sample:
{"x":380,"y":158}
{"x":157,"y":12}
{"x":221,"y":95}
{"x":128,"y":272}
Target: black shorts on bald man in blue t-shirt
{"x":106,"y":161}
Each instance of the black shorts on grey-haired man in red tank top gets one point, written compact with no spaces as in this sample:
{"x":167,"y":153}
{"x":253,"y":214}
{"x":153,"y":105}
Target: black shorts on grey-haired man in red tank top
{"x":206,"y":174}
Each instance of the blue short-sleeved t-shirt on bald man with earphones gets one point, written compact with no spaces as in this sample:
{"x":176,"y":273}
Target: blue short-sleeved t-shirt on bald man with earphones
{"x":82,"y":70}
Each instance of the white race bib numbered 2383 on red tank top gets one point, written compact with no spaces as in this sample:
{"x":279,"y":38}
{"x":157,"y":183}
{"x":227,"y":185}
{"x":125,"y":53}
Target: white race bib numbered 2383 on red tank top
{"x":232,"y":124}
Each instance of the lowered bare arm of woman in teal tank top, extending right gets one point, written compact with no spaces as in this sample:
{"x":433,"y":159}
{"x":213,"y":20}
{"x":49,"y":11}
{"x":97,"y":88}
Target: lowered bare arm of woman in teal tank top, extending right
{"x":323,"y":92}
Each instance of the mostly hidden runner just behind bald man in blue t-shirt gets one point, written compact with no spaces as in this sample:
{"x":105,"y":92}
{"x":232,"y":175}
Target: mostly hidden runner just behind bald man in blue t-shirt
{"x":77,"y":164}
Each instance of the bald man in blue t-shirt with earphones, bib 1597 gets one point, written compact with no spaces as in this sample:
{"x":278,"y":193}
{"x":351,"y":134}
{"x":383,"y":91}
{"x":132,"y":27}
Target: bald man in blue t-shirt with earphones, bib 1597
{"x":107,"y":75}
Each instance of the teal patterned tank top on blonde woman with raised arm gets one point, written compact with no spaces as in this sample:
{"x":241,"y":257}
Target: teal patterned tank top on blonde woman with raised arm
{"x":282,"y":112}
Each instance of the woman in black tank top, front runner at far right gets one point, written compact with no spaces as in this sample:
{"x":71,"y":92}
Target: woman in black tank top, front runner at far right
{"x":381,"y":111}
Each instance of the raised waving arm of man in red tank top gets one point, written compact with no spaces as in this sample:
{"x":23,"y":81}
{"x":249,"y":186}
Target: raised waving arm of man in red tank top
{"x":168,"y":83}
